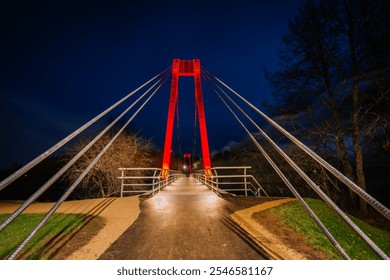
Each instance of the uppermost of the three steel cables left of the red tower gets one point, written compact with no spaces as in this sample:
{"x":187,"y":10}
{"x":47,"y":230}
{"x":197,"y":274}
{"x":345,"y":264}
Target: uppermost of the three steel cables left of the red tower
{"x":11,"y":178}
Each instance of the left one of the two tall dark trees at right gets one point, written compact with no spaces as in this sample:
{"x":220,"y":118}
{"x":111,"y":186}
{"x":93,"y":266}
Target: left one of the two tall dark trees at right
{"x":308,"y":76}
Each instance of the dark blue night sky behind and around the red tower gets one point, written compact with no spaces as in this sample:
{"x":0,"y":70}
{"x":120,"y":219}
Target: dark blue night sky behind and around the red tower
{"x":63,"y":62}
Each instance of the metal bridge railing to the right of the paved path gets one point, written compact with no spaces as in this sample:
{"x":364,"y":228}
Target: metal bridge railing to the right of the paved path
{"x":227,"y":179}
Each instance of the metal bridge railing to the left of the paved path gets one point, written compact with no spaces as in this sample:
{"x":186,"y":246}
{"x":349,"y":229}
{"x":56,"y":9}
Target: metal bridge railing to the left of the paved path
{"x":147,"y":180}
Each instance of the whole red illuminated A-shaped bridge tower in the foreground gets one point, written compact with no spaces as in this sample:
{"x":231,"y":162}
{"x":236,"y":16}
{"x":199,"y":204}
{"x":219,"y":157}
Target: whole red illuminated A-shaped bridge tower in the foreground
{"x":186,"y":68}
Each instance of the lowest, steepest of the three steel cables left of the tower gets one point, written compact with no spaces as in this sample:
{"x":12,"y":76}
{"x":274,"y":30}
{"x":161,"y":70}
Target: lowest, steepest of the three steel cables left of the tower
{"x":78,"y":180}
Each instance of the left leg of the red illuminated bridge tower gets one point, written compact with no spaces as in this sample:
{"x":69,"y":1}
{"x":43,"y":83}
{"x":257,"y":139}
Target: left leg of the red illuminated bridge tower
{"x":171,"y":117}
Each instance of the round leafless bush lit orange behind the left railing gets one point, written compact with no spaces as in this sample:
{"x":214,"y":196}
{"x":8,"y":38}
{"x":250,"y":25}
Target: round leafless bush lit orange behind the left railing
{"x":128,"y":150}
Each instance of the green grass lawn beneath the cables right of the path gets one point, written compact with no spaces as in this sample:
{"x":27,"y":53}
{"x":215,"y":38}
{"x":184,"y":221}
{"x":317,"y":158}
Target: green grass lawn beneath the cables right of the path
{"x":294,"y":215}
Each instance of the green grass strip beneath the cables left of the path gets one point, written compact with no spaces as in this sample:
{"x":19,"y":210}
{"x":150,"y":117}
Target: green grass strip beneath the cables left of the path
{"x":47,"y":236}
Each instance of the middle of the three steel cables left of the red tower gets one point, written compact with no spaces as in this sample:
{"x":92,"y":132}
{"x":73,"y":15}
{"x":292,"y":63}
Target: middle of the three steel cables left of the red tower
{"x":56,"y":176}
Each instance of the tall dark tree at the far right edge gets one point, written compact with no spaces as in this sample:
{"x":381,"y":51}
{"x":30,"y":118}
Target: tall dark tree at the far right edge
{"x":362,"y":24}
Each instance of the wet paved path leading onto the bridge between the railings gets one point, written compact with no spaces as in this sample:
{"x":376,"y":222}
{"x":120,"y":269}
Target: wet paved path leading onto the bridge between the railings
{"x":185,"y":221}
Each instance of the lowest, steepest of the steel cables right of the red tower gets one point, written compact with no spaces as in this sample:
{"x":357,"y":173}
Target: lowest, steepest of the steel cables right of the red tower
{"x":289,"y":185}
